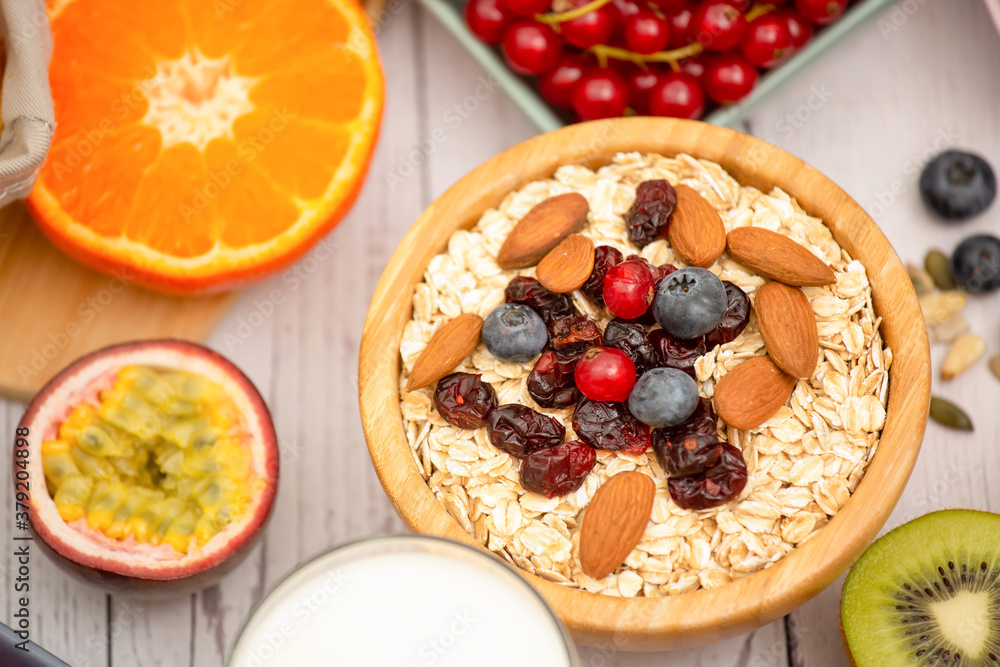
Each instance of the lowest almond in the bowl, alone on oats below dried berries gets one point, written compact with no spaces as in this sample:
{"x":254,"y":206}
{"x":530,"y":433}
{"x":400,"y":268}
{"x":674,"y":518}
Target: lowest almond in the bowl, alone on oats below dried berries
{"x":615,"y":521}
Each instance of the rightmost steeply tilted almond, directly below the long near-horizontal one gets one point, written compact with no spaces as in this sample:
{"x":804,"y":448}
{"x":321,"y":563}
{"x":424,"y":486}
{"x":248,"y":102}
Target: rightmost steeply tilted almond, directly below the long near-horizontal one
{"x":788,"y":326}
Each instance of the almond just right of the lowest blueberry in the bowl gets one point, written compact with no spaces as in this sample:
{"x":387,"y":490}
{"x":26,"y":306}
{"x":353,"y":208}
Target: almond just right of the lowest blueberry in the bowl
{"x":752,"y":392}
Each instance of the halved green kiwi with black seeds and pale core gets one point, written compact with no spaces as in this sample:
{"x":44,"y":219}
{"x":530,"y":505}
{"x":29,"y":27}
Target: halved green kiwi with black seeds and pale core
{"x":927,"y":593}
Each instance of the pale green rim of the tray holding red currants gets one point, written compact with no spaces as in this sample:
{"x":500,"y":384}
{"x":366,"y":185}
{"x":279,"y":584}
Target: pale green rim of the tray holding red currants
{"x":449,"y":13}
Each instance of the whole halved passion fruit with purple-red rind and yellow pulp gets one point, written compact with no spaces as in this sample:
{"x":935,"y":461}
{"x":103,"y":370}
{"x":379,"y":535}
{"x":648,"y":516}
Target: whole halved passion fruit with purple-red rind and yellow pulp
{"x":152,"y":467}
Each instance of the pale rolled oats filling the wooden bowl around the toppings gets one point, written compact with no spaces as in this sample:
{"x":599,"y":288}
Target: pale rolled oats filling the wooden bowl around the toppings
{"x":803,"y":463}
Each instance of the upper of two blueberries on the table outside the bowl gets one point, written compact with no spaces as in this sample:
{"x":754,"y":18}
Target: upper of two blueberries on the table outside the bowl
{"x":958,"y":185}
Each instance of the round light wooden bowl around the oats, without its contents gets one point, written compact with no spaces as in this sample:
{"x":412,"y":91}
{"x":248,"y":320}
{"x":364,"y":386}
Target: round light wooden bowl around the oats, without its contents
{"x":707,"y":615}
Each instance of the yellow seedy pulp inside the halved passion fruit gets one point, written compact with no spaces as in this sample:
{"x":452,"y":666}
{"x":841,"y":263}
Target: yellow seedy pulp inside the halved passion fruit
{"x":162,"y":459}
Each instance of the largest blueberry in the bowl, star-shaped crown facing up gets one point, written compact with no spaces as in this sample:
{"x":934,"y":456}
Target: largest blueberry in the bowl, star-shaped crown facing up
{"x":690,"y":302}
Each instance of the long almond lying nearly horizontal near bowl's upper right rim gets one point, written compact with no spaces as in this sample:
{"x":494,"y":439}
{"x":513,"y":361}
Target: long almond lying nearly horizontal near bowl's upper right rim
{"x":778,"y":257}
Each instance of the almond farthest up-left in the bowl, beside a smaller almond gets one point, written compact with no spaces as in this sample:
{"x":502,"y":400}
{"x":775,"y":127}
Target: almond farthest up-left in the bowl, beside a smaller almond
{"x":541,"y":229}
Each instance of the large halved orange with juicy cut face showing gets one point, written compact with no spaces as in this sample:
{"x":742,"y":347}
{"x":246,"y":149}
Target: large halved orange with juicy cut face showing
{"x":202,"y":144}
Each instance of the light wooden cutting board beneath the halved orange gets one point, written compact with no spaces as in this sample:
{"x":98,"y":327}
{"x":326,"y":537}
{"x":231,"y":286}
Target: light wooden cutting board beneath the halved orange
{"x":54,"y":309}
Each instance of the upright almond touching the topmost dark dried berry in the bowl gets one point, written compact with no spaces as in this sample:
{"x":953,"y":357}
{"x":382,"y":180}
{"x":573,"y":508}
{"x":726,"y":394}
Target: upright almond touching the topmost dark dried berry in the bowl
{"x":696,"y":232}
